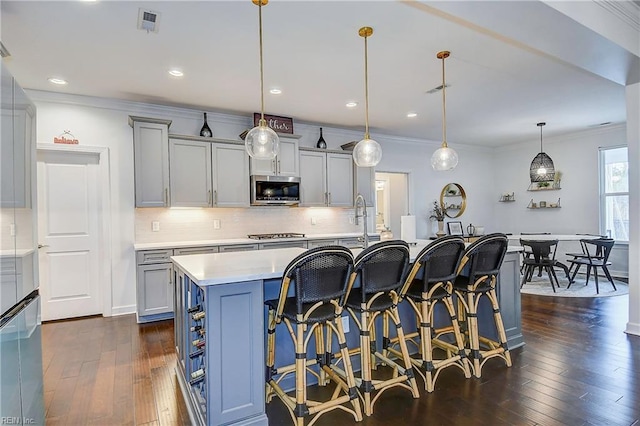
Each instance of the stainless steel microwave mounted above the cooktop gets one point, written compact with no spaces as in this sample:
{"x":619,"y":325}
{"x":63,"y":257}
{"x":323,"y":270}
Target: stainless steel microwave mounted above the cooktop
{"x":275,"y":190}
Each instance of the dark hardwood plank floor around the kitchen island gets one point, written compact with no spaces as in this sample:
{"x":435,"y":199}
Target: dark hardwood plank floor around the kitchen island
{"x":577,"y":368}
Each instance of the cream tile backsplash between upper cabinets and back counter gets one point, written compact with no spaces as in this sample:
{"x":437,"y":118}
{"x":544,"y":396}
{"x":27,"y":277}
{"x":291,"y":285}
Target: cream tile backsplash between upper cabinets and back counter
{"x":179,"y":224}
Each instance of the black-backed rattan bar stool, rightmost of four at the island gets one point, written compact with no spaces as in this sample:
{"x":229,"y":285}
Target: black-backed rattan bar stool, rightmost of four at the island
{"x":481,"y":262}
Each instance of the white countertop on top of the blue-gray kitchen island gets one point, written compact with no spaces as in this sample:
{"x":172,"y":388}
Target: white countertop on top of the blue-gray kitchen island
{"x":223,"y":268}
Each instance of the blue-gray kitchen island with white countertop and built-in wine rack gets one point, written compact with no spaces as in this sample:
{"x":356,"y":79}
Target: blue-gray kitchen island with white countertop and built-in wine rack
{"x":220,"y":332}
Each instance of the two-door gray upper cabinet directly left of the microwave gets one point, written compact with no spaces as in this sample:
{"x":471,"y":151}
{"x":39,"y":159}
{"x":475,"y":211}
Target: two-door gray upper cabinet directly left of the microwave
{"x":206,"y":174}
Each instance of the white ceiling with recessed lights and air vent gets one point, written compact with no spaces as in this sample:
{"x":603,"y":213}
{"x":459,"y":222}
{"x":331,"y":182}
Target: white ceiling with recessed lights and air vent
{"x":512,"y":64}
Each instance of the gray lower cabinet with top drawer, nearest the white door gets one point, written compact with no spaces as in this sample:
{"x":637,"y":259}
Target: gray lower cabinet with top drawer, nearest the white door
{"x":154,"y":285}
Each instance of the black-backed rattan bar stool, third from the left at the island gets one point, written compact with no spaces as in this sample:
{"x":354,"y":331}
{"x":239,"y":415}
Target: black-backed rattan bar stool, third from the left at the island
{"x":438,"y":264}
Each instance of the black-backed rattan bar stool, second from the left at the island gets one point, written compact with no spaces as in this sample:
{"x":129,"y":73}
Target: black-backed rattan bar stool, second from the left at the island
{"x":381,"y":269}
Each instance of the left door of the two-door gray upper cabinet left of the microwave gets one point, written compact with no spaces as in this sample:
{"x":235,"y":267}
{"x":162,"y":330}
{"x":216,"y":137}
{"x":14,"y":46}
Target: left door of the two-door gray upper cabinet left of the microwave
{"x":190,"y":173}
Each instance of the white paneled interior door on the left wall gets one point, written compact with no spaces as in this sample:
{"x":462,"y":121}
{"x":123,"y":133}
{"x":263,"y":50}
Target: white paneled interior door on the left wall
{"x":69,"y":233}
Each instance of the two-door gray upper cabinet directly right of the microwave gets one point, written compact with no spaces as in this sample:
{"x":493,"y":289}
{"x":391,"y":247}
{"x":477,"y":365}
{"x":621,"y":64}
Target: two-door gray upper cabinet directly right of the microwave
{"x":326,"y":179}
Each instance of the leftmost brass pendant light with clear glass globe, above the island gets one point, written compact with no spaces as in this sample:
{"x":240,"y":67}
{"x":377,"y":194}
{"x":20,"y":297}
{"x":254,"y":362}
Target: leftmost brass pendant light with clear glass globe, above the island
{"x":261,"y":142}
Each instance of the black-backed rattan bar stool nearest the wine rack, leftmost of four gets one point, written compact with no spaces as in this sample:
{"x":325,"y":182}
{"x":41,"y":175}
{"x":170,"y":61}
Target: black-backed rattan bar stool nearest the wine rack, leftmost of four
{"x":320,"y":277}
